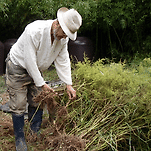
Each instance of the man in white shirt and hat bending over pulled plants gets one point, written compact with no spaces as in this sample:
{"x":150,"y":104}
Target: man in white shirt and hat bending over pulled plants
{"x":41,"y":44}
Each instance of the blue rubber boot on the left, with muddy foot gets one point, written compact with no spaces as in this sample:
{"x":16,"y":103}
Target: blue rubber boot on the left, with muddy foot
{"x":18,"y":124}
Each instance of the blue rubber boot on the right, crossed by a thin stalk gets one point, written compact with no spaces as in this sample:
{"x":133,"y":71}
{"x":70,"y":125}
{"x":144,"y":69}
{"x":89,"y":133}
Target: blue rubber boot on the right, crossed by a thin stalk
{"x":35,"y":117}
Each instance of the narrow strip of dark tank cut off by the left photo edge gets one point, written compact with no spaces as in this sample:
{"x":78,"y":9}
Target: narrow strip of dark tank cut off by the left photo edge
{"x":1,"y":58}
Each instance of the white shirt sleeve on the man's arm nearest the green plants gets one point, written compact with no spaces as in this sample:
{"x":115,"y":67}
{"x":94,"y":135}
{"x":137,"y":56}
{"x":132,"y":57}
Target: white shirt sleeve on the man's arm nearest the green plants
{"x":63,"y":67}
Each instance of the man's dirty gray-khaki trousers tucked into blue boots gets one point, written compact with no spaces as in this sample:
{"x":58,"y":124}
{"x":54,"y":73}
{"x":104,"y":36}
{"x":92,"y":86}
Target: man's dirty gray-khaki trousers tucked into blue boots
{"x":21,"y":88}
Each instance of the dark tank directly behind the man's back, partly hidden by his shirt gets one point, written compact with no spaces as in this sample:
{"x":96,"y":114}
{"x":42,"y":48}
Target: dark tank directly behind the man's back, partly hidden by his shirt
{"x":7,"y":46}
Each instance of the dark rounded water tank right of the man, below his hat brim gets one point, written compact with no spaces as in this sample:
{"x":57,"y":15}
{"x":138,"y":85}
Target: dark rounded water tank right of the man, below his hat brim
{"x":79,"y":47}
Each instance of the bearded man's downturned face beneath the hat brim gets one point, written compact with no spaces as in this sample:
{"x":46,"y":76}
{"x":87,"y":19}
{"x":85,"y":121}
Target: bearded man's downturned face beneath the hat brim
{"x":59,"y":33}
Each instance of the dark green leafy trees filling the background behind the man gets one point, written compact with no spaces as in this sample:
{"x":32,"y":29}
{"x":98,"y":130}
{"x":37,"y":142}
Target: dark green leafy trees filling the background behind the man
{"x":118,"y":28}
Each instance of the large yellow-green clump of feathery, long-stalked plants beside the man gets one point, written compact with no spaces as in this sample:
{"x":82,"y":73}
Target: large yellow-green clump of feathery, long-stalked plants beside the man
{"x":113,"y":110}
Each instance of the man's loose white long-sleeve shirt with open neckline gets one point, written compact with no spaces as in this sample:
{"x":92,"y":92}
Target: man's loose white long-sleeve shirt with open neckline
{"x":34,"y":52}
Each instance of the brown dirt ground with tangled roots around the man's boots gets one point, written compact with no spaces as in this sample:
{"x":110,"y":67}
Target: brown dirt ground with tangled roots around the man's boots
{"x":52,"y":137}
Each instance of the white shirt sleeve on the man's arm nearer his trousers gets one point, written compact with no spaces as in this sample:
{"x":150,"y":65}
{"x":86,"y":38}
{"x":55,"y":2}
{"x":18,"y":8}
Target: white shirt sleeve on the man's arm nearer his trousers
{"x":30,"y":59}
